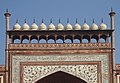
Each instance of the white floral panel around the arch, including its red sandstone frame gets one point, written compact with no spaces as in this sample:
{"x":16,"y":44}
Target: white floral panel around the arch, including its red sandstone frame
{"x":88,"y":71}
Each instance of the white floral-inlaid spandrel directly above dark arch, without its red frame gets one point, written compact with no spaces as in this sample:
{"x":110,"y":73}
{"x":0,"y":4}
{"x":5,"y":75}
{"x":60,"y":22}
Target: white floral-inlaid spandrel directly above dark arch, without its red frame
{"x":89,"y":73}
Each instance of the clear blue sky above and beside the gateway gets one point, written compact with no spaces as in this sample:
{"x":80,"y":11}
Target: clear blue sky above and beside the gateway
{"x":63,"y":9}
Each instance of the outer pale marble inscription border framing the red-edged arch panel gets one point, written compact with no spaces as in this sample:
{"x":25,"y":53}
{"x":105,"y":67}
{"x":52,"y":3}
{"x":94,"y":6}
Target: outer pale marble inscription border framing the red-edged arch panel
{"x":16,"y":59}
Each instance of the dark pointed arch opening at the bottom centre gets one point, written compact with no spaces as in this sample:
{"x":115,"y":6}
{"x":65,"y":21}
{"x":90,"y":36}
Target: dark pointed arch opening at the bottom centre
{"x":60,"y":77}
